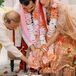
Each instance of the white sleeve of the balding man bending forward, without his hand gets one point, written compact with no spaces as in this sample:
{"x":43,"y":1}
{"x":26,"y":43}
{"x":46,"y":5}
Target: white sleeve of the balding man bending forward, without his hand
{"x":5,"y":40}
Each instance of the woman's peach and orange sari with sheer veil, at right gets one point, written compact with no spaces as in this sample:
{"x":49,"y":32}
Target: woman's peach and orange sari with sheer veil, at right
{"x":65,"y":45}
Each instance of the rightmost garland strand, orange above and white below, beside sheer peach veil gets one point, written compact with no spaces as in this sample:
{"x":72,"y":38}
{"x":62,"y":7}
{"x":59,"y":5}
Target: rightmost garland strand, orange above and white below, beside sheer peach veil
{"x":53,"y":19}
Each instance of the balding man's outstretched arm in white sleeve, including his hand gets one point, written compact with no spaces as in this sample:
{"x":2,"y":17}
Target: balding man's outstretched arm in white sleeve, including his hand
{"x":8,"y":44}
